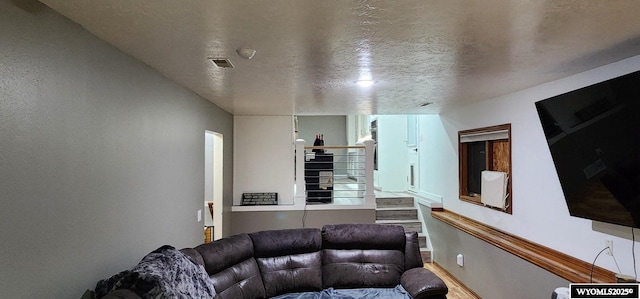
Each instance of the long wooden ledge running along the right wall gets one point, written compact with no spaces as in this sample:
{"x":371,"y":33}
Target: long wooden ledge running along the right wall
{"x":558,"y":263}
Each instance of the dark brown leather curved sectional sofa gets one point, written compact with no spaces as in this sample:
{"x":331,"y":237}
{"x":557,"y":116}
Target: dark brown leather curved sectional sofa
{"x":308,"y":262}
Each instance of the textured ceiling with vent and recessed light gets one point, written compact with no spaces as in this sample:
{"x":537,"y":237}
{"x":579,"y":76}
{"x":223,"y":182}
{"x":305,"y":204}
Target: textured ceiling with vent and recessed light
{"x":310,"y":53}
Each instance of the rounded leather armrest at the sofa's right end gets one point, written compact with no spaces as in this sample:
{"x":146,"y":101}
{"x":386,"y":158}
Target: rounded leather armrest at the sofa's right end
{"x":422,"y":283}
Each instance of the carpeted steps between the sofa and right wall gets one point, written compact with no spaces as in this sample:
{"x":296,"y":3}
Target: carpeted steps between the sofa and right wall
{"x":401,"y":211}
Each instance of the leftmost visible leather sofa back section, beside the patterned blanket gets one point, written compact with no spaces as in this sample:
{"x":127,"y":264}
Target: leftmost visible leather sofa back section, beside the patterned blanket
{"x":230,"y":264}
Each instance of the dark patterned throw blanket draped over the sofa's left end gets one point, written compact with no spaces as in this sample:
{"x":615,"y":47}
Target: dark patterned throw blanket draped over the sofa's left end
{"x":163,"y":273}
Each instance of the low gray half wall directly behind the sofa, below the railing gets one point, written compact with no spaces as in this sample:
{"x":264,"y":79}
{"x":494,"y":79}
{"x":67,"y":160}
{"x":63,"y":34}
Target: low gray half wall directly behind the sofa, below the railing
{"x":247,"y":222}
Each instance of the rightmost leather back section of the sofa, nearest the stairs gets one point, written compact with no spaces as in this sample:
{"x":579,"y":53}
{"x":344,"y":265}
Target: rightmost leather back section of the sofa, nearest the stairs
{"x":362,"y":255}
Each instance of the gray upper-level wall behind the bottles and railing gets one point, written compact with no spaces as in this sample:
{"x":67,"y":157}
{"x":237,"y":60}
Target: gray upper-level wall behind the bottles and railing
{"x":334,"y":128}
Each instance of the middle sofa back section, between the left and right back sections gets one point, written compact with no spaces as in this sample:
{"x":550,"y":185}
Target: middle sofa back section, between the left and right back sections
{"x":289,"y":260}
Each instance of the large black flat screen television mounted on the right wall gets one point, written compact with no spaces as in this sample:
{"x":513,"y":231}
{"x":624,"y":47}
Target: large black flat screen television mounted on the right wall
{"x":593,"y":134}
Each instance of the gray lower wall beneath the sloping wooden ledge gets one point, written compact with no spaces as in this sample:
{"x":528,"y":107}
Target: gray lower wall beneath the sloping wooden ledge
{"x":488,"y":270}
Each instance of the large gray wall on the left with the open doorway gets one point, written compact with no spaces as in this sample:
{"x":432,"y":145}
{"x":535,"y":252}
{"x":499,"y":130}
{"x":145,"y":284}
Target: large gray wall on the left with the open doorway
{"x":101,"y":157}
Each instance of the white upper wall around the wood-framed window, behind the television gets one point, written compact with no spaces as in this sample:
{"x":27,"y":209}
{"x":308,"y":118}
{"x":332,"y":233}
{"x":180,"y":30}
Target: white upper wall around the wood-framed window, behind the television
{"x":540,"y":213}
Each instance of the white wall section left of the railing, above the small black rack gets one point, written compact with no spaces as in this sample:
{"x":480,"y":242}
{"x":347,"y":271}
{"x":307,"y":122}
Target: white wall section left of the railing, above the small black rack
{"x":264,"y":156}
